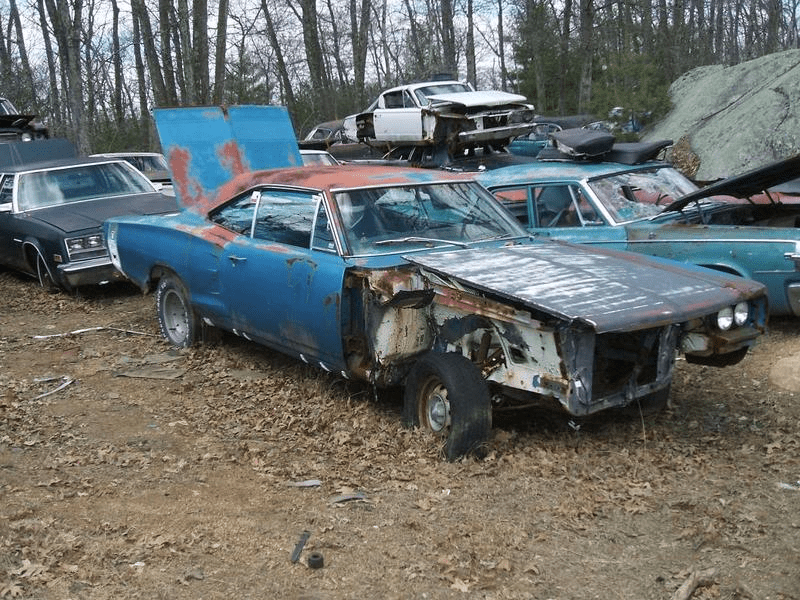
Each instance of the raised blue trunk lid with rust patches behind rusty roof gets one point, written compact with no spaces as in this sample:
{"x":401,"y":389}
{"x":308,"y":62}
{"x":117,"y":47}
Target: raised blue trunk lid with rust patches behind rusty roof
{"x":207,"y":146}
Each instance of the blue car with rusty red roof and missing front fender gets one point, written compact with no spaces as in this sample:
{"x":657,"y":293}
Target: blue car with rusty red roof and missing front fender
{"x":400,"y":276}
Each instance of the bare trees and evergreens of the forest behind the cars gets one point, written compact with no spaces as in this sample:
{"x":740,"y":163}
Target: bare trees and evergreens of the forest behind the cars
{"x":93,"y":69}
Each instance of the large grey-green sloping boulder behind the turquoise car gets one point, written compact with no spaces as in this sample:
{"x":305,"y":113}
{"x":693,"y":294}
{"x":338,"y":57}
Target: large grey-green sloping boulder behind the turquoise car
{"x":735,"y":118}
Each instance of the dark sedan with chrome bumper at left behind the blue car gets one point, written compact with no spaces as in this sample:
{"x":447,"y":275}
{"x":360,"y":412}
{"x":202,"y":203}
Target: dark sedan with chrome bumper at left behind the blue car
{"x":51,"y":215}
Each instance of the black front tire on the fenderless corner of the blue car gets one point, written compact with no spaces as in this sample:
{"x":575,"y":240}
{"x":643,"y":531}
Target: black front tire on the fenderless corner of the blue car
{"x":446,"y":394}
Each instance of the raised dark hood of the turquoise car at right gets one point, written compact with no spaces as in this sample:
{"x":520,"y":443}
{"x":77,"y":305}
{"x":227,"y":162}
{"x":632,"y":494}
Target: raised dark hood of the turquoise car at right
{"x":744,"y":185}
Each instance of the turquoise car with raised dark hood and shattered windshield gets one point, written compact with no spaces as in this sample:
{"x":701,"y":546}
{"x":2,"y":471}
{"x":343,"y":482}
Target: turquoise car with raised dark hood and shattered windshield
{"x":624,"y":199}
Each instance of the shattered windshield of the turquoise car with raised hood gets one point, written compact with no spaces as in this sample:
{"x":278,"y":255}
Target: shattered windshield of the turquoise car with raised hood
{"x":640,"y":194}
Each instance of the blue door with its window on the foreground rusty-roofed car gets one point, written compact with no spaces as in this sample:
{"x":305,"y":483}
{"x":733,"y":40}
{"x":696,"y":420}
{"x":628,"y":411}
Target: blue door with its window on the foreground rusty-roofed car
{"x":281,"y":279}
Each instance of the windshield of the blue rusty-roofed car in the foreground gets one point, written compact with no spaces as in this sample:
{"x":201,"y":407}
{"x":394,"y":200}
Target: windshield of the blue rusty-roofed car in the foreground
{"x":391,"y":219}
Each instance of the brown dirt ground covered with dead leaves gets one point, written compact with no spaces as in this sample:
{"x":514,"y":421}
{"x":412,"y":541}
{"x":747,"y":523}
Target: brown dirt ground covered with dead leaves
{"x":128,"y":470}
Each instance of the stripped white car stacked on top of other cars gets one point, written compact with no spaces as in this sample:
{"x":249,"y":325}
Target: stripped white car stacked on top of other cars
{"x":447,"y":113}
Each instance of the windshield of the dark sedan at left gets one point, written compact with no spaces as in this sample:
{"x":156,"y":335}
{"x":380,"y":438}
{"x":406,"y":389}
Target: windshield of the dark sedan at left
{"x":65,"y":185}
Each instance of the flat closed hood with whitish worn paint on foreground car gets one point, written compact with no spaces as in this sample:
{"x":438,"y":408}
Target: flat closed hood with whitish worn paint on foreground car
{"x":608,"y":290}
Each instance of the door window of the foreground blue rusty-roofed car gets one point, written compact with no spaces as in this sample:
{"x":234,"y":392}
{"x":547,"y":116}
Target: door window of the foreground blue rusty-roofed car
{"x":286,"y":217}
